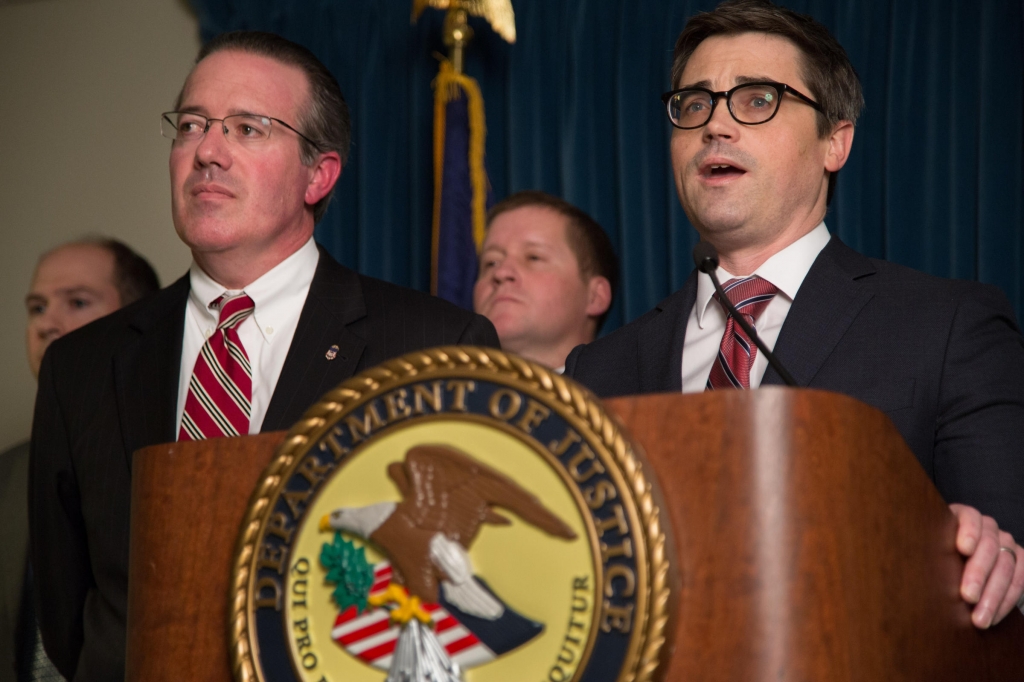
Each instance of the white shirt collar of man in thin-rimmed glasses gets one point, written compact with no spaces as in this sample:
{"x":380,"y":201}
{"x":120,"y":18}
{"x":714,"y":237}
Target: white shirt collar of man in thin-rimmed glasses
{"x":275,"y":294}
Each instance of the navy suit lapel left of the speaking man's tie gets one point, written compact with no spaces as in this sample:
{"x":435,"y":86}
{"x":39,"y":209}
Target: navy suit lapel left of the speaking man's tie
{"x":661,"y":373}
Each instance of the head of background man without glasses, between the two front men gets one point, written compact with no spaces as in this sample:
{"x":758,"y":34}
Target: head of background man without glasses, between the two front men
{"x":547,"y":277}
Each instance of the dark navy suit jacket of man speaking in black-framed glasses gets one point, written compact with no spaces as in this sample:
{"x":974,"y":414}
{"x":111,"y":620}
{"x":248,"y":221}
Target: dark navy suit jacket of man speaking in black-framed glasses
{"x":944,"y":359}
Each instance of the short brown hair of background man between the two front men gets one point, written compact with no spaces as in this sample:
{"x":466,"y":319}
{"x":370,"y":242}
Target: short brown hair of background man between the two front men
{"x":589,"y":242}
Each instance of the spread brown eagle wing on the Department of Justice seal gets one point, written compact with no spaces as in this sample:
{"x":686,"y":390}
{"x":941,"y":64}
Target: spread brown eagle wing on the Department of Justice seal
{"x":448,"y":492}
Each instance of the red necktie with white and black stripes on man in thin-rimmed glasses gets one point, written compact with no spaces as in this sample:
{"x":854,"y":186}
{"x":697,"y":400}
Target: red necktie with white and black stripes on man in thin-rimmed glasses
{"x":222,"y":387}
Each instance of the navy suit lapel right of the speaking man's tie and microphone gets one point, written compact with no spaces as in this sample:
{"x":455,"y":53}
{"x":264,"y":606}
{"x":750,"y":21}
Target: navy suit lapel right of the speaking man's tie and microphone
{"x":827,"y":305}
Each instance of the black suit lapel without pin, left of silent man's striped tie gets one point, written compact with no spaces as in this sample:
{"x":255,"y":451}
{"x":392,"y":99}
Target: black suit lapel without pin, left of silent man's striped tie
{"x":146,"y":370}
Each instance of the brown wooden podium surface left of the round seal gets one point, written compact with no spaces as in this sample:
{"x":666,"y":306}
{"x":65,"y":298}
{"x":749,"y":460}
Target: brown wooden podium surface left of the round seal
{"x":189,"y":500}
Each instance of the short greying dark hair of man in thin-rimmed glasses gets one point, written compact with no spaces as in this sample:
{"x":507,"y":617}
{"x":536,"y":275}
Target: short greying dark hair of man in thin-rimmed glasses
{"x":325,"y":120}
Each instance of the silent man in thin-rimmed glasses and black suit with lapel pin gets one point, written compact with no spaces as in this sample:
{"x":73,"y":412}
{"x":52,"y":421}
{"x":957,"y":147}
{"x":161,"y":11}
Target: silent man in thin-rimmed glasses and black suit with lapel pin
{"x":263,"y":325}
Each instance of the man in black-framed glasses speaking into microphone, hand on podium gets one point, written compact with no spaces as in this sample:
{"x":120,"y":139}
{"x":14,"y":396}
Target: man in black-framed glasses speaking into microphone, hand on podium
{"x":764,"y":106}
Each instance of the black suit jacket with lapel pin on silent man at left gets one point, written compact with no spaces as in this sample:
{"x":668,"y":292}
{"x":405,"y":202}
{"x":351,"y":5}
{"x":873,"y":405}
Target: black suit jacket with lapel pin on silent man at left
{"x":111,"y":388}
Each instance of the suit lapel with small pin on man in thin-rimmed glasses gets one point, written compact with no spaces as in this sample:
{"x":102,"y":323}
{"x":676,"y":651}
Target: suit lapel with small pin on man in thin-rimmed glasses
{"x":335,"y":301}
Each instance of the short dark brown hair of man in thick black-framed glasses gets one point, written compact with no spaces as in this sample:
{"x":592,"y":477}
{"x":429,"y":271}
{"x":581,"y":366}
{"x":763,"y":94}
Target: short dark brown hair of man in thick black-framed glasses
{"x":831,"y":78}
